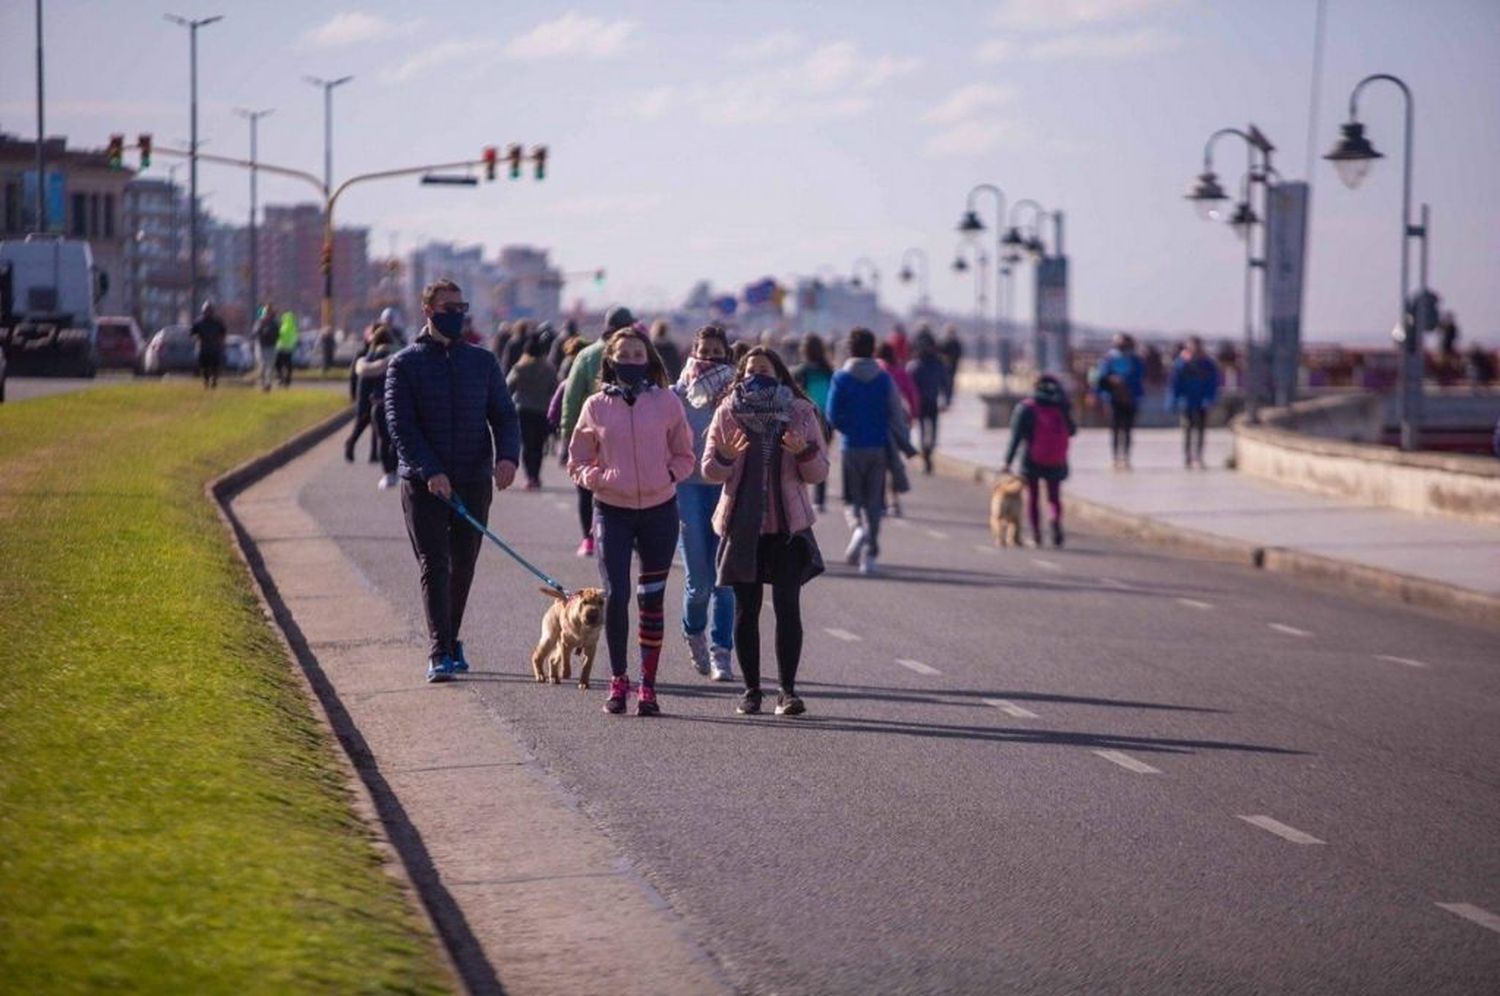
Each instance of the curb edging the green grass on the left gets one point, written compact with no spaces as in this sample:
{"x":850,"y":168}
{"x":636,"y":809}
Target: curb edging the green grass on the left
{"x":368,"y":803}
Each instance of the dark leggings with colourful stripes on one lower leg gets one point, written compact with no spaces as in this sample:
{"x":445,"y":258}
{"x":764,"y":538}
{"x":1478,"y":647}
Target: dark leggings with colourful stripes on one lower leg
{"x":622,"y":533}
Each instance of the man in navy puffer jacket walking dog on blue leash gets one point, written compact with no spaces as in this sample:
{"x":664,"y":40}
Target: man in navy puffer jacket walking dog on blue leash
{"x":455,"y":427}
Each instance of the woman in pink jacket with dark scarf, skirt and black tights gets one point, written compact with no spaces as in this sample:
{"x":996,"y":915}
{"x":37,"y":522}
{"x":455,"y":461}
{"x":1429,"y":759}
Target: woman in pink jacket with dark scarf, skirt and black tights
{"x":766,"y":446}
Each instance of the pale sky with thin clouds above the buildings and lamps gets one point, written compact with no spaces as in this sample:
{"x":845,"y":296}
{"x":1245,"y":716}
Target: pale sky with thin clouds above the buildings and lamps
{"x":728,"y":142}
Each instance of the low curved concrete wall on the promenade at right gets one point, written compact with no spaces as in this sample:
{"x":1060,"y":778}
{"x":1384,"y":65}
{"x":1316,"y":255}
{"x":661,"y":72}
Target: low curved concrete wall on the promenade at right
{"x":1324,"y":446}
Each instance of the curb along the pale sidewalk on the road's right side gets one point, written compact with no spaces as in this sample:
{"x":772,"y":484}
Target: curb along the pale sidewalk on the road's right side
{"x":1451,"y":601}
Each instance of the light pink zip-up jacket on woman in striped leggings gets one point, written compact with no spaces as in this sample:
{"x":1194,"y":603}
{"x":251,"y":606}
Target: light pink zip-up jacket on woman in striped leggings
{"x":631,"y":455}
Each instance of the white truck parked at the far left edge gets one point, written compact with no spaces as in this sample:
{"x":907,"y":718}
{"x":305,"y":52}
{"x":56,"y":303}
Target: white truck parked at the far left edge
{"x":49,"y":290}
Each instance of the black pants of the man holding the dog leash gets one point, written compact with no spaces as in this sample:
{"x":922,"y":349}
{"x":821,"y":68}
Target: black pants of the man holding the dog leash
{"x":446,"y":550}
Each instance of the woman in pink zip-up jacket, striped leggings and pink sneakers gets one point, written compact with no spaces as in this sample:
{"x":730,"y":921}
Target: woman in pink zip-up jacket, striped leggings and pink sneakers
{"x":631,"y":448}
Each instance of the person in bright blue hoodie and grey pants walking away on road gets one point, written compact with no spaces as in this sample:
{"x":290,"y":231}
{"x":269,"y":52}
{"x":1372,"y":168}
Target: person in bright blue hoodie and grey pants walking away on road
{"x":865,"y":407}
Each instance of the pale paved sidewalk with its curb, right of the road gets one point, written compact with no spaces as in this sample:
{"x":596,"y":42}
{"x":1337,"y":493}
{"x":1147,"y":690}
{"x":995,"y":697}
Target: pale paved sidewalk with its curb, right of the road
{"x":1436,"y":562}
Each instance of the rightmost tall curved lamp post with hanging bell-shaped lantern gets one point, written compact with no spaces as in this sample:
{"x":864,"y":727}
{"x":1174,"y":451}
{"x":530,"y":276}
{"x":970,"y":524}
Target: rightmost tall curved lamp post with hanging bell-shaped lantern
{"x":1352,"y":157}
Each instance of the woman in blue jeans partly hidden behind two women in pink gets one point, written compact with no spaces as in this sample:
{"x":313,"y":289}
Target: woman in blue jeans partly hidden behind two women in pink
{"x":703,"y":385}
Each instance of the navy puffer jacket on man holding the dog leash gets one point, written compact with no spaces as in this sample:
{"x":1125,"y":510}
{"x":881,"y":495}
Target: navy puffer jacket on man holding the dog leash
{"x":449,"y":412}
